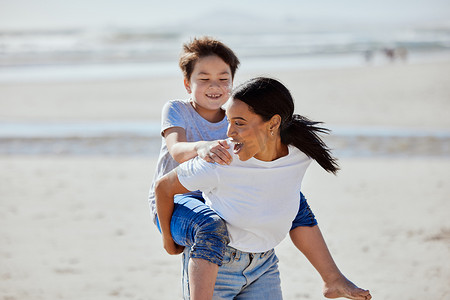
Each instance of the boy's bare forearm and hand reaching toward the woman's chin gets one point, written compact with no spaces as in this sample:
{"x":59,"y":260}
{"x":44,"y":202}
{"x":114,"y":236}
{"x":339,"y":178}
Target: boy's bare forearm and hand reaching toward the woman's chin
{"x":181,"y":150}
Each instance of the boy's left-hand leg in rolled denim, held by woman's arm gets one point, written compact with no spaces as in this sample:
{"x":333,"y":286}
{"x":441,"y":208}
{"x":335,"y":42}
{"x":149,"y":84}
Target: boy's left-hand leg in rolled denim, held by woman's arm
{"x":196,"y":226}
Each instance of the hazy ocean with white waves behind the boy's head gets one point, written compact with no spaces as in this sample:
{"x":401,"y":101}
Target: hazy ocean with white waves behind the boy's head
{"x":113,"y":53}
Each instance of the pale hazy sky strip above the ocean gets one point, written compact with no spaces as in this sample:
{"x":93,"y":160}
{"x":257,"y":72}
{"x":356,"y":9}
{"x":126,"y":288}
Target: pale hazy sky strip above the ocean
{"x":51,"y":14}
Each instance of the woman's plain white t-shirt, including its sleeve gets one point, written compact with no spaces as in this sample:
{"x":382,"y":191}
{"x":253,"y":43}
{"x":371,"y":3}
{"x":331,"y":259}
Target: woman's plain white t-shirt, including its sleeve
{"x":258,"y":200}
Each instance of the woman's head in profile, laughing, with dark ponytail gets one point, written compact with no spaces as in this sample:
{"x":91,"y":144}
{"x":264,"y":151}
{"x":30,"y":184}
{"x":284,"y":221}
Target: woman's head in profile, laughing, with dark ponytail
{"x":270,"y":107}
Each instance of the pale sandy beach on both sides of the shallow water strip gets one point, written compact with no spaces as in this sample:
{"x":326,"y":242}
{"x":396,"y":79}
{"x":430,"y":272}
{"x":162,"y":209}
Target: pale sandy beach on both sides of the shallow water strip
{"x":78,"y":226}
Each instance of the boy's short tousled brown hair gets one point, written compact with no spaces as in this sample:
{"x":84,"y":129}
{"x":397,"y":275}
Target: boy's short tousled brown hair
{"x":202,"y":47}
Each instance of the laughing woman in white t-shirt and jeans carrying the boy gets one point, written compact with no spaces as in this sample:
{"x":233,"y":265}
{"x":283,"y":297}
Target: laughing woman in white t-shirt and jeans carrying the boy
{"x":256,"y":194}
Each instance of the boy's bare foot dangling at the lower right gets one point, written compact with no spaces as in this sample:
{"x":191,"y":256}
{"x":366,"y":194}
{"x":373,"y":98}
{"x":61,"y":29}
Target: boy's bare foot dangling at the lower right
{"x":342,"y":287}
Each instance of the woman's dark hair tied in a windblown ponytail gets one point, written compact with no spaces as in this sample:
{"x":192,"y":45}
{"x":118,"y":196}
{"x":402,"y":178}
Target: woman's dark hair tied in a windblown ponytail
{"x":267,"y":97}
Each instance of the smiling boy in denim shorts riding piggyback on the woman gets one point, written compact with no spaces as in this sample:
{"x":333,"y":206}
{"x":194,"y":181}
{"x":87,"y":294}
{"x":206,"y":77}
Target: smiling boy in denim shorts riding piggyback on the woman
{"x":197,"y":127}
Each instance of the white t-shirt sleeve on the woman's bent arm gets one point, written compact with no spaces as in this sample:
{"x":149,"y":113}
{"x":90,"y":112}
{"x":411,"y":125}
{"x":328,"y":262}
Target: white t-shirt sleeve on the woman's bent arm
{"x":197,"y":174}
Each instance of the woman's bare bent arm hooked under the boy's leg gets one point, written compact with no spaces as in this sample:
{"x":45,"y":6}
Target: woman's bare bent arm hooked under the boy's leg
{"x":165,"y":189}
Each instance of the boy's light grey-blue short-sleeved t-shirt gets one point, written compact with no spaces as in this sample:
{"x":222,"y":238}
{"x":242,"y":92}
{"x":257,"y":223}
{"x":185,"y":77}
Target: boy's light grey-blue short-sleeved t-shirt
{"x":180,"y":113}
